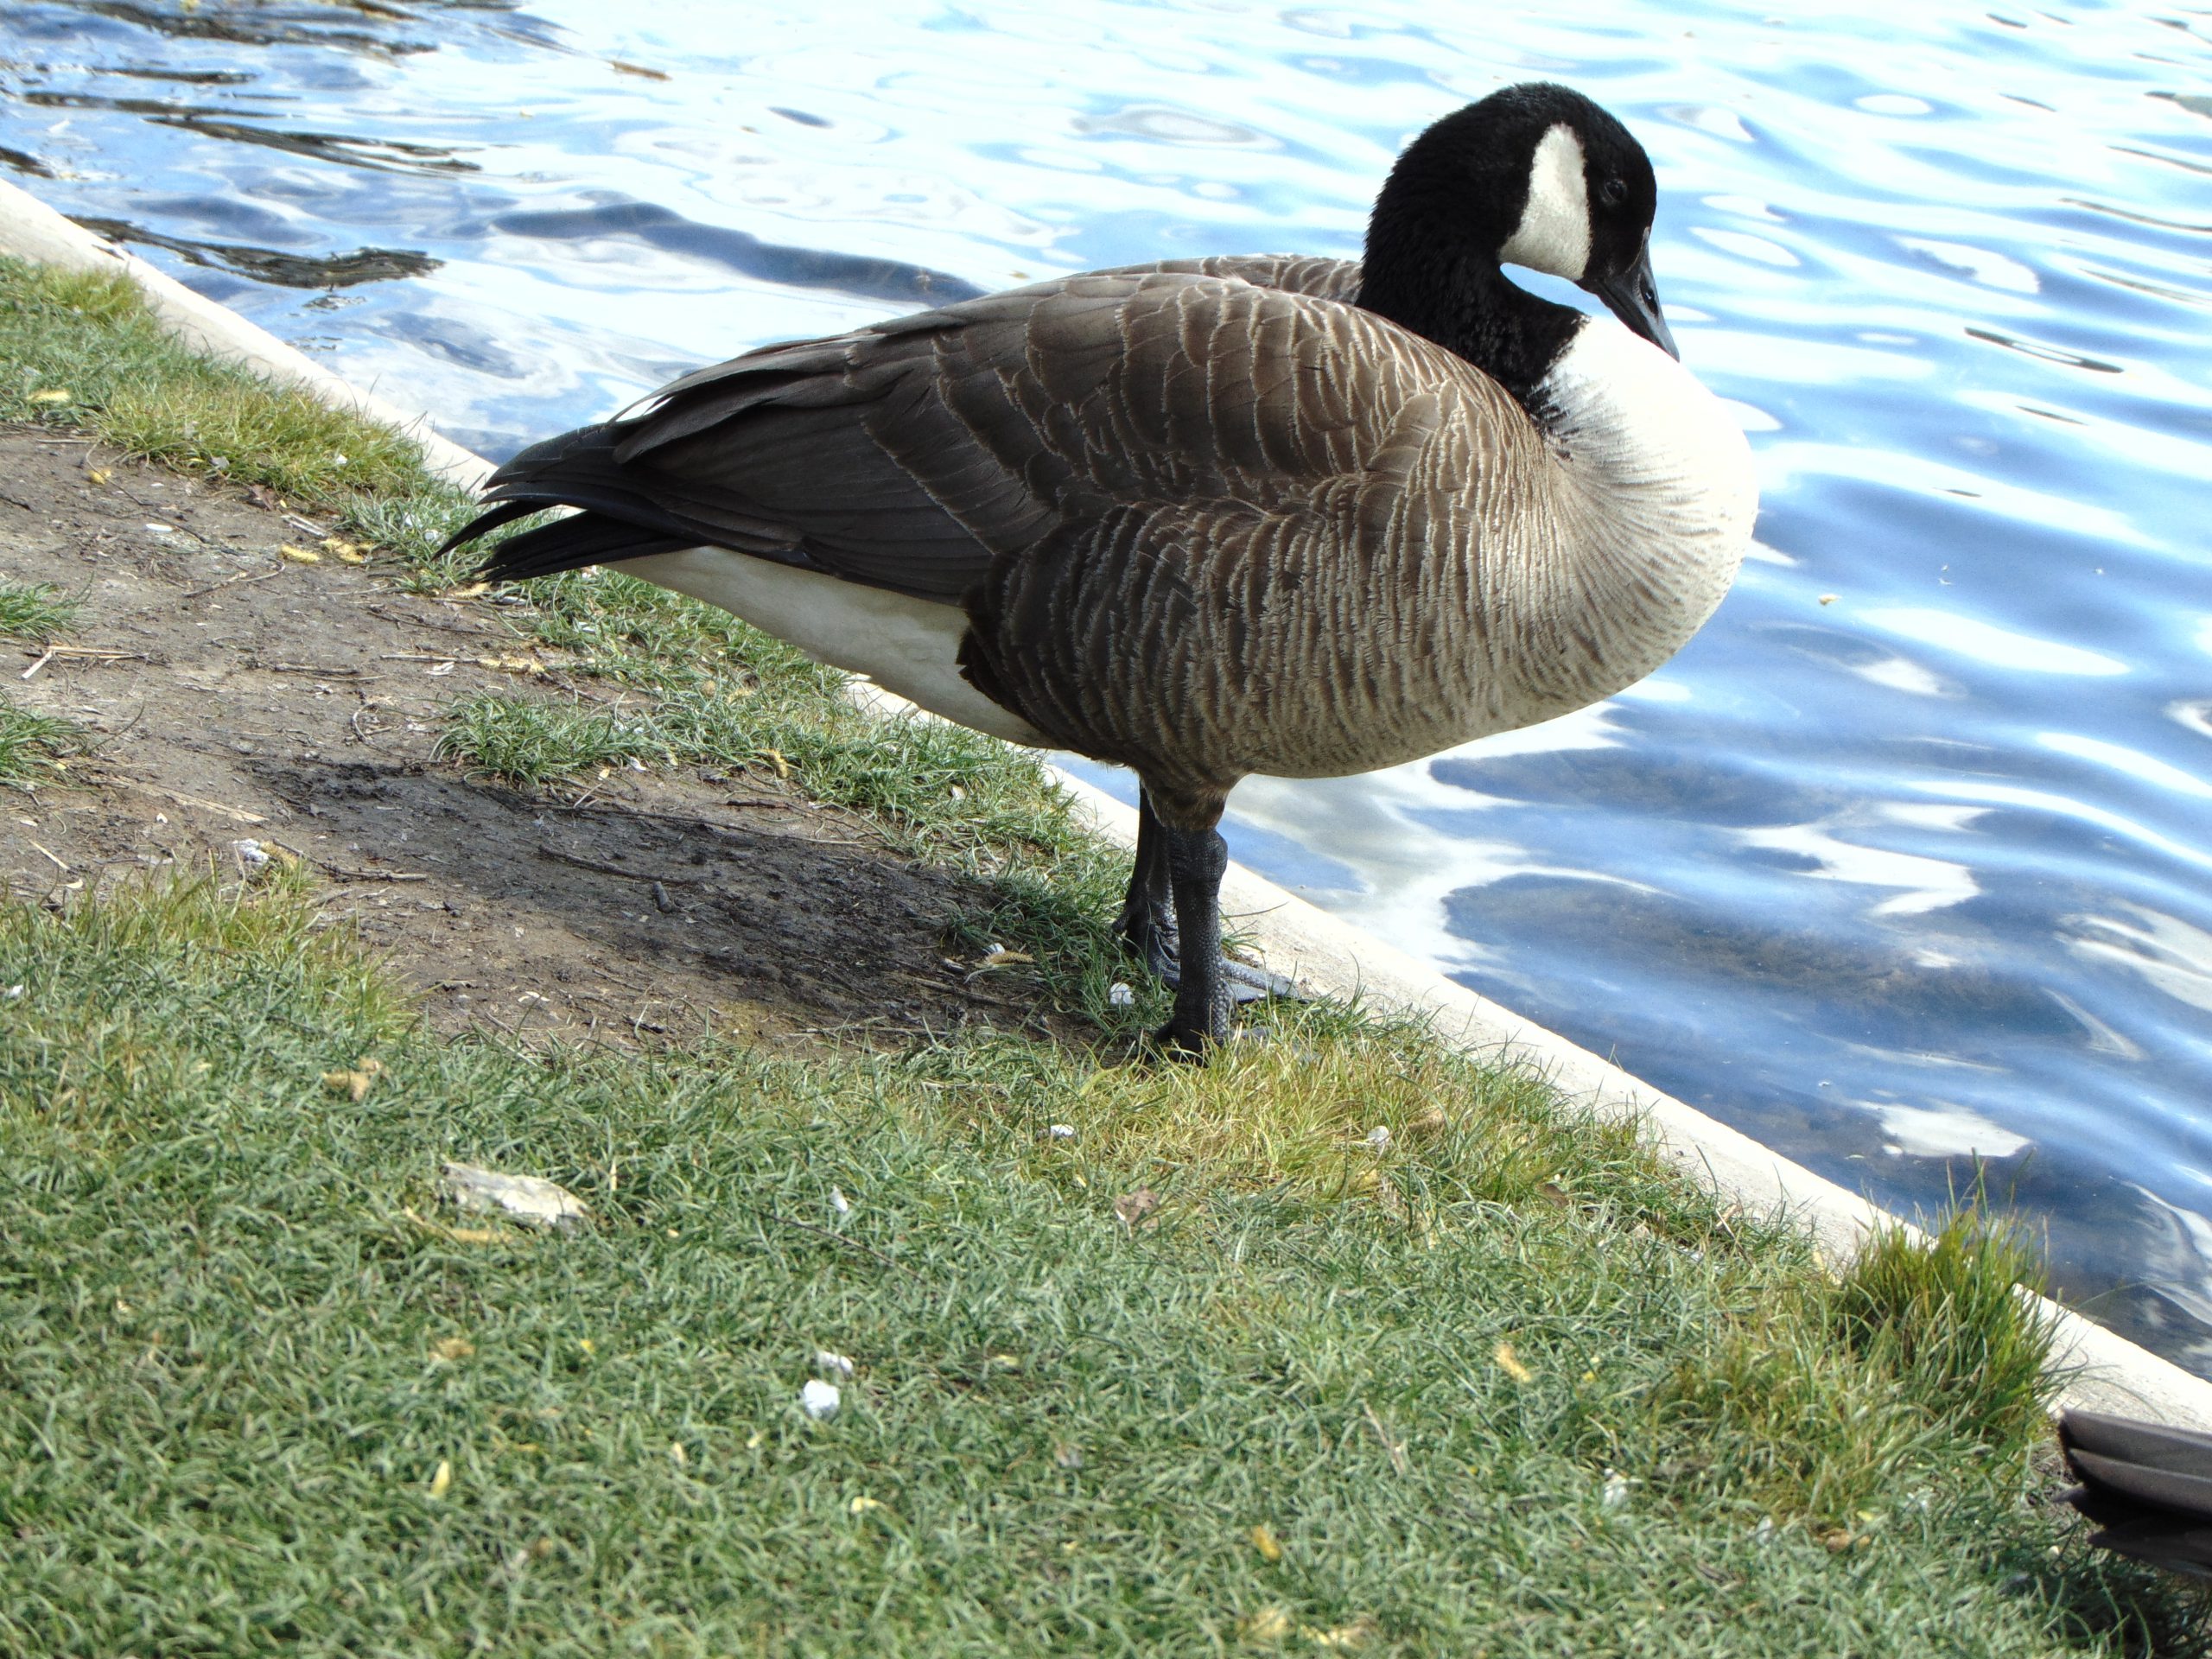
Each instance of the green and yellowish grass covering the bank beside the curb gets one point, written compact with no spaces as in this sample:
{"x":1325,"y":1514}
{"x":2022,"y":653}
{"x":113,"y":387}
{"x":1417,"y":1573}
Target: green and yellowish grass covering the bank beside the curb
{"x":1218,"y":1370}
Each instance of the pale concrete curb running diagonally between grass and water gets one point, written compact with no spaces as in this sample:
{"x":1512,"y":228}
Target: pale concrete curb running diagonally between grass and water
{"x":1315,"y":948}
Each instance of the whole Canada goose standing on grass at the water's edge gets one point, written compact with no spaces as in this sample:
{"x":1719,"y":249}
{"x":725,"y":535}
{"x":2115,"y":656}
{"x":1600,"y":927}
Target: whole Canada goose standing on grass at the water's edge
{"x":1220,"y":517}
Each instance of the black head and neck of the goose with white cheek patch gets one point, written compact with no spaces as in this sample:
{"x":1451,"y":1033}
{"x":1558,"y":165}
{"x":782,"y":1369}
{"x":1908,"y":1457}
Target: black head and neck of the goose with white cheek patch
{"x":1532,"y":176}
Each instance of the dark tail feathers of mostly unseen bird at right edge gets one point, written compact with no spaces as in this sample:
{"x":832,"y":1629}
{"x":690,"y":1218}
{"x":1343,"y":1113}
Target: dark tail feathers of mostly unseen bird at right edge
{"x":2147,"y":1485}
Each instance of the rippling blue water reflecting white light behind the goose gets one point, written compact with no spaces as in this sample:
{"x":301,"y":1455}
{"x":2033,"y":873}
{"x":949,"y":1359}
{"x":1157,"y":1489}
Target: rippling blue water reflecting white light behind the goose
{"x":1901,"y":862}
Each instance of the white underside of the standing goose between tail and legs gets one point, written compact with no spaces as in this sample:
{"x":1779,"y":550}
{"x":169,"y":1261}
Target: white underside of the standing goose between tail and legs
{"x":910,"y":647}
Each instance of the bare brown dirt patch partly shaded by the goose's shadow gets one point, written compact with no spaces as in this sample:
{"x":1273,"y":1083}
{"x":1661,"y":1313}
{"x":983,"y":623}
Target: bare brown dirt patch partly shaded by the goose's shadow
{"x":242,"y":698}
